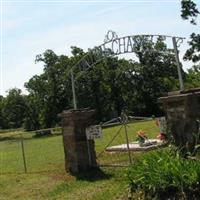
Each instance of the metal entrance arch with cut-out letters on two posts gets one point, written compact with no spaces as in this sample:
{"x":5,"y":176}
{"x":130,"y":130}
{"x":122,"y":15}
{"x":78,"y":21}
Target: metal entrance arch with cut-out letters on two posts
{"x":114,"y":45}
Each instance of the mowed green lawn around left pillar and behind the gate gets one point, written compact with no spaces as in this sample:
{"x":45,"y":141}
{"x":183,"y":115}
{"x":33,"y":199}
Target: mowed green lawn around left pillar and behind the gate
{"x":46,"y":177}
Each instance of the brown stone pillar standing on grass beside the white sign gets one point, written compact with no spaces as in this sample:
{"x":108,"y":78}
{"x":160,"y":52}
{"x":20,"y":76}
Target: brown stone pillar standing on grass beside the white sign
{"x":79,"y":152}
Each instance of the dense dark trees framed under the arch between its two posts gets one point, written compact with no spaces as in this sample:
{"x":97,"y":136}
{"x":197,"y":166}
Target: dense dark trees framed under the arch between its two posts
{"x":115,"y":84}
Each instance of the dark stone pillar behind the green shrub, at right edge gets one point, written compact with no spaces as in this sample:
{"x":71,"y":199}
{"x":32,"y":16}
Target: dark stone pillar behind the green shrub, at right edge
{"x":182,"y":112}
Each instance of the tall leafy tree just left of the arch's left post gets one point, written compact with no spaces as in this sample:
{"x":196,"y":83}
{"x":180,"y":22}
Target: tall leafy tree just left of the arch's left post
{"x":49,"y":91}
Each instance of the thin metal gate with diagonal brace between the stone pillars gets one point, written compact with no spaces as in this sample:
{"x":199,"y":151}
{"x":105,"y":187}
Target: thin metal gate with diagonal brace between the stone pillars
{"x":117,"y":147}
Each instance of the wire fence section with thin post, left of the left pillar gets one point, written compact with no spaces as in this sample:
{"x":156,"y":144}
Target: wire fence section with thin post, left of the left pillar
{"x":30,"y":153}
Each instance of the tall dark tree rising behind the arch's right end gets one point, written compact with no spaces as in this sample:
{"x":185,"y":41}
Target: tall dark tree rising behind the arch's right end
{"x":154,"y":75}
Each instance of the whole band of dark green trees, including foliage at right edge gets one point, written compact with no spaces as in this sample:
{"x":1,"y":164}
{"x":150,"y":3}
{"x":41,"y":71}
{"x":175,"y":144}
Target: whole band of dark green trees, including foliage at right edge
{"x":109,"y":86}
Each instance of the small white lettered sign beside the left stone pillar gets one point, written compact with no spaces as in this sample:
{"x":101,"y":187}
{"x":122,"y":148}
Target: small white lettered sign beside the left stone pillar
{"x":93,"y":132}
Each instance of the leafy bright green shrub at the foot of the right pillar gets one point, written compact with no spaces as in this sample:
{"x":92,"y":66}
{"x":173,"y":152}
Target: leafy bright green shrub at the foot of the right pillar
{"x":160,"y":175}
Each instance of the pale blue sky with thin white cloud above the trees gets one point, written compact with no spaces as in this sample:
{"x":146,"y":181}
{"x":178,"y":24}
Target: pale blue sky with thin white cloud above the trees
{"x":28,"y":28}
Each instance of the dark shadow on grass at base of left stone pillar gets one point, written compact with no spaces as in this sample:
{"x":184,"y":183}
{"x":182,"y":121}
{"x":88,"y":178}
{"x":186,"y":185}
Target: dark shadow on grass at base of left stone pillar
{"x":94,"y":174}
